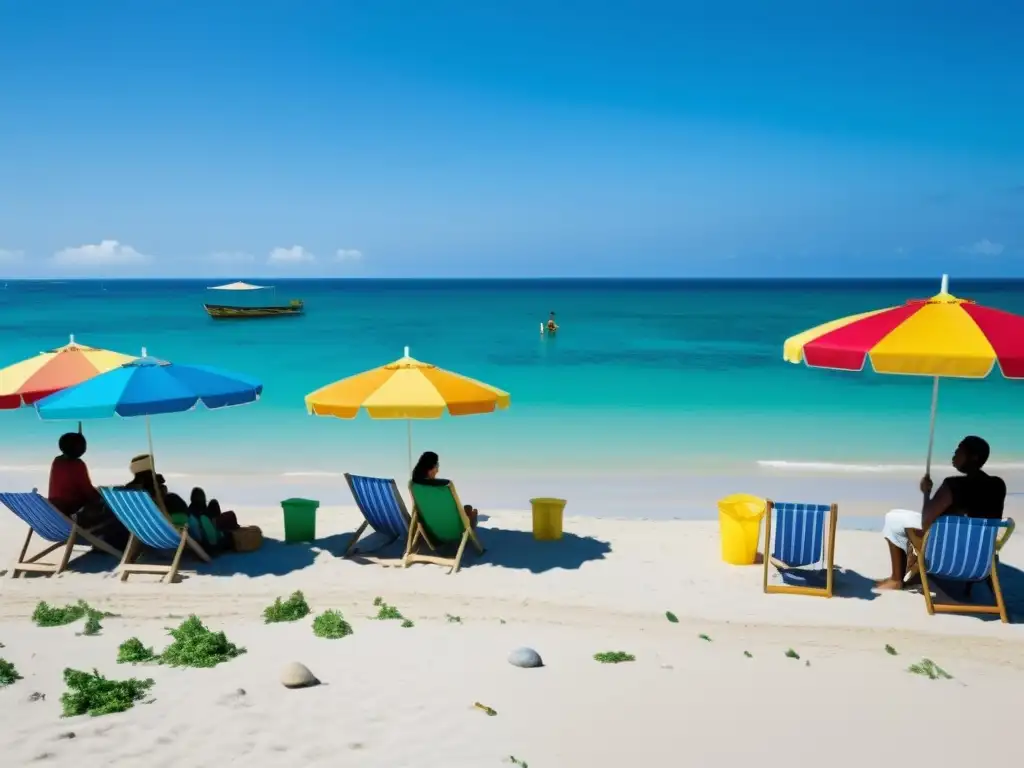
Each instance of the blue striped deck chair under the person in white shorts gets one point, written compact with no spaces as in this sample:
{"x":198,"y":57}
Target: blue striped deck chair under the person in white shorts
{"x":965,"y":549}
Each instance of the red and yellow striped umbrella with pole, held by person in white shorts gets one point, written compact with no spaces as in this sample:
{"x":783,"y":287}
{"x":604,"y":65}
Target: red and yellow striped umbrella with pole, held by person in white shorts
{"x":944,"y":336}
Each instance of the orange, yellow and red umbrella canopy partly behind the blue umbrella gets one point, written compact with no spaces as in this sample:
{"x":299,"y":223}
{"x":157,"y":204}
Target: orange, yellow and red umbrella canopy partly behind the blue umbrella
{"x":31,"y":380}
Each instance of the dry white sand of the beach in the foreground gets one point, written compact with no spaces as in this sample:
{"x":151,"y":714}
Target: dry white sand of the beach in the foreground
{"x":396,"y":697}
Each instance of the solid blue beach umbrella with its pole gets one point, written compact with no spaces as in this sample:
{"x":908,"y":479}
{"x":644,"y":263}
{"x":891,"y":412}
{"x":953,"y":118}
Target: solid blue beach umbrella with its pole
{"x":148,"y":387}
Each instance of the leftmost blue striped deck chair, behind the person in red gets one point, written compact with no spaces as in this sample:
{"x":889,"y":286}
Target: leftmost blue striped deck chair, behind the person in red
{"x":52,"y":525}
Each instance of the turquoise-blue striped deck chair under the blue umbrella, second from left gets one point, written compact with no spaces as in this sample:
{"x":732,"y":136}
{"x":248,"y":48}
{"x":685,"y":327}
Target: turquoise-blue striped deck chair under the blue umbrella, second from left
{"x":149,"y":527}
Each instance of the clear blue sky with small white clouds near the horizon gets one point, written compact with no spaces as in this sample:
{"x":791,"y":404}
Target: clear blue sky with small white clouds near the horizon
{"x":549,"y":139}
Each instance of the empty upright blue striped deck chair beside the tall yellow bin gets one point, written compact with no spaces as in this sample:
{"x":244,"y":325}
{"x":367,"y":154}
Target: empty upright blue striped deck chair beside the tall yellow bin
{"x":803,"y":549}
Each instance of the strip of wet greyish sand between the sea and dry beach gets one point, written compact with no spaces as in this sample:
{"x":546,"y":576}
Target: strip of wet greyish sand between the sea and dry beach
{"x":653,"y":494}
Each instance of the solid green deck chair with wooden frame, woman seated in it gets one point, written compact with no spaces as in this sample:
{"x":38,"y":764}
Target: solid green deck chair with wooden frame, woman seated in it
{"x":439,"y":518}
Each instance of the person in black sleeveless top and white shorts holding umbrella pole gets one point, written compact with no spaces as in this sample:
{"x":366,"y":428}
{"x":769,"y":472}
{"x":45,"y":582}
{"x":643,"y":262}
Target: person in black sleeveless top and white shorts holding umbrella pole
{"x":973,"y":494}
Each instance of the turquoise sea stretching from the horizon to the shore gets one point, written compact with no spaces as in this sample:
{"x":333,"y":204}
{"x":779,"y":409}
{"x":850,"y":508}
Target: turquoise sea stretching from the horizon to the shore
{"x":647,"y":377}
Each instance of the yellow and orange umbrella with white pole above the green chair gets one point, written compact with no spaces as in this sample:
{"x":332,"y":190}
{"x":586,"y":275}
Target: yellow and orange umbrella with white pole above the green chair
{"x":407,"y":390}
